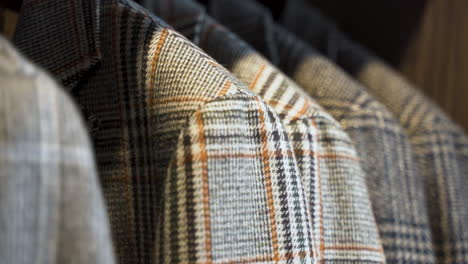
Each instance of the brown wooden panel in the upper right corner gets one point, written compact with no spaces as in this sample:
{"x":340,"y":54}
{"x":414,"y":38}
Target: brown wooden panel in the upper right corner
{"x":437,"y":57}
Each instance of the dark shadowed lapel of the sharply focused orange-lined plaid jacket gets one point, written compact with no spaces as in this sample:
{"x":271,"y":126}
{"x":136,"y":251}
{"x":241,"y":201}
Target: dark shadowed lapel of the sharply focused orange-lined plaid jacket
{"x":60,"y":36}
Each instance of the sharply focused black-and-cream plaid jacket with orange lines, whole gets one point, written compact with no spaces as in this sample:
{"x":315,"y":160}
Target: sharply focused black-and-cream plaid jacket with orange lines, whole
{"x":195,"y":168}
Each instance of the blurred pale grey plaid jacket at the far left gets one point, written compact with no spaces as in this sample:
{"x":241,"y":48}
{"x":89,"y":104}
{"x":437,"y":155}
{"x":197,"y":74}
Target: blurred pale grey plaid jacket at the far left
{"x":51,"y":205}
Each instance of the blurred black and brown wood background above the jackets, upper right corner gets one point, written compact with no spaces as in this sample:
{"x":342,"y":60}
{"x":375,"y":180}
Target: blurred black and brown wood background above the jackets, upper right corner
{"x":426,"y":40}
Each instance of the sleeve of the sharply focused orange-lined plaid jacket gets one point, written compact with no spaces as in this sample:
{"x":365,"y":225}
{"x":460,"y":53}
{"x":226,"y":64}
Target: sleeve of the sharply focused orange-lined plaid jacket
{"x":233,"y":193}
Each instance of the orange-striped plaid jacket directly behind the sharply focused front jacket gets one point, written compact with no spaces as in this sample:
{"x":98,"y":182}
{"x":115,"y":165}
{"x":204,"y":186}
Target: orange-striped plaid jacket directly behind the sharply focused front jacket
{"x":343,"y":224}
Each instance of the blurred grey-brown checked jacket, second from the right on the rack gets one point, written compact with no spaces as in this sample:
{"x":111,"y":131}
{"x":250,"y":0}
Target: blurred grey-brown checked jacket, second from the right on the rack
{"x":395,"y":187}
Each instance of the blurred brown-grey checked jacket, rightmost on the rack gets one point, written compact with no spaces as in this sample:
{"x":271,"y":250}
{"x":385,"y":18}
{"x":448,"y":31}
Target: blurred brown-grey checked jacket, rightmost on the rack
{"x":440,"y":147}
